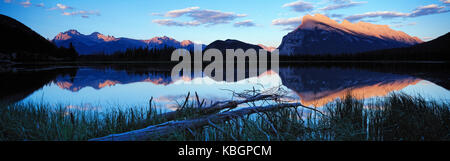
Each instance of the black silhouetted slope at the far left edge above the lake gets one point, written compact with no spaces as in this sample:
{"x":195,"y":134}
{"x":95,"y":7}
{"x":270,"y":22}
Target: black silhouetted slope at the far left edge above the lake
{"x":20,"y":43}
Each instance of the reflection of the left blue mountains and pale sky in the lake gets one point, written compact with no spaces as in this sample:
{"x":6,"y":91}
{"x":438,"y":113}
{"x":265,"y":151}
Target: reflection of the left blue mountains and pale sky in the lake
{"x":88,"y":89}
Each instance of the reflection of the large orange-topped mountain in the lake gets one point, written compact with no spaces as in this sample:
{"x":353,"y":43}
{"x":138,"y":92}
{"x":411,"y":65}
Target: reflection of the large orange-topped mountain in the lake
{"x":319,"y":86}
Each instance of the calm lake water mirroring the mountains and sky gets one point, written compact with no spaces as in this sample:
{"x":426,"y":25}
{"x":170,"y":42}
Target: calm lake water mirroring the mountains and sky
{"x":98,"y":87}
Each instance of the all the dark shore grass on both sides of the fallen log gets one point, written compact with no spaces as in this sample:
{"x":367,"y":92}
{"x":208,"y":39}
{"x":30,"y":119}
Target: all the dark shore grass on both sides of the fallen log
{"x":397,"y":117}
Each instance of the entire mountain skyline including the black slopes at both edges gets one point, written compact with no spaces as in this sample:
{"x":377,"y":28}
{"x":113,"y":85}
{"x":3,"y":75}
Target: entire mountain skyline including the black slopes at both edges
{"x":316,"y":35}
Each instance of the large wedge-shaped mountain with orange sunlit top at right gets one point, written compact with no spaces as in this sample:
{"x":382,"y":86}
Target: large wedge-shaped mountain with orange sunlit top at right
{"x":319,"y":34}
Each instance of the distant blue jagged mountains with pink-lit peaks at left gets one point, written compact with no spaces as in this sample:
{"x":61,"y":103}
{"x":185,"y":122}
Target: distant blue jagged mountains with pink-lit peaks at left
{"x":98,"y":43}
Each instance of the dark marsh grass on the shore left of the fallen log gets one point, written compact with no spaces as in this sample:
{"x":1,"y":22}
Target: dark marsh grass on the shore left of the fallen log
{"x":41,"y":122}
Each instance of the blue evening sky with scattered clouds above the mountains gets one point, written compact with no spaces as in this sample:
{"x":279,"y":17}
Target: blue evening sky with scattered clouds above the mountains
{"x":204,"y":21}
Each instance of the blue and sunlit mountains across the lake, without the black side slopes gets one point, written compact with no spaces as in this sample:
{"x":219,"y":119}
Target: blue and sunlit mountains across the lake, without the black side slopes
{"x":316,"y":35}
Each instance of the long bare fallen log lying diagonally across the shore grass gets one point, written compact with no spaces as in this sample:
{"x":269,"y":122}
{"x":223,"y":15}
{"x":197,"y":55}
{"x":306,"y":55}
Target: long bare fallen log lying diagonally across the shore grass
{"x":164,"y":129}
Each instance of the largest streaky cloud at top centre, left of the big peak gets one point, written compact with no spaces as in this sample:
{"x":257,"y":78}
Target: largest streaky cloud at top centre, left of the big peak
{"x":199,"y":16}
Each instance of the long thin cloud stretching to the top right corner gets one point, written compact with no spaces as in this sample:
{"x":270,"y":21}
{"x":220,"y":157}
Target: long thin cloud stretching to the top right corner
{"x":419,"y":11}
